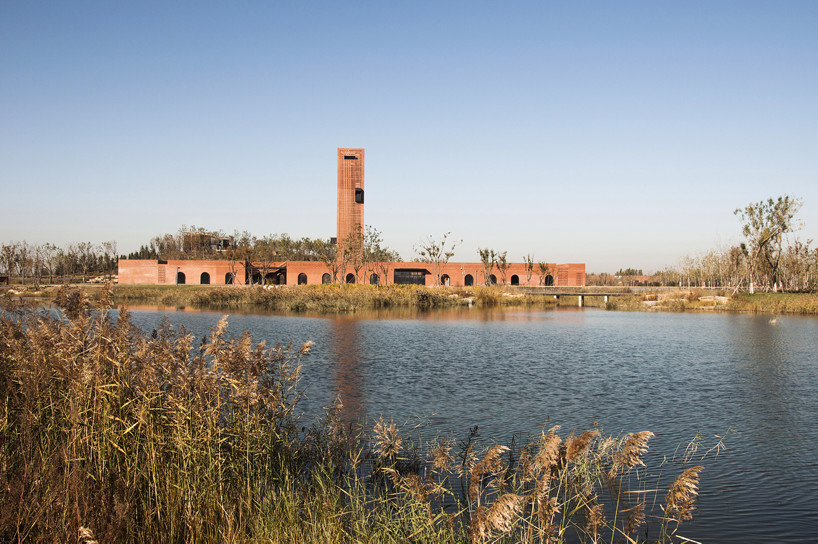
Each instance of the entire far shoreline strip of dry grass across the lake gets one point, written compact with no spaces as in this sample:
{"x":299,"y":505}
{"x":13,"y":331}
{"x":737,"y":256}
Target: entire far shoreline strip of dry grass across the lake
{"x":335,"y":298}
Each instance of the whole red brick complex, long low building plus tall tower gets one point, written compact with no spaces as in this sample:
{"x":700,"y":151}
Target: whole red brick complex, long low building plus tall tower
{"x":350,"y":217}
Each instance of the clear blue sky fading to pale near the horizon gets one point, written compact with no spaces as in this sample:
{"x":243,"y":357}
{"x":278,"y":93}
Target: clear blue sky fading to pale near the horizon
{"x":618,"y":134}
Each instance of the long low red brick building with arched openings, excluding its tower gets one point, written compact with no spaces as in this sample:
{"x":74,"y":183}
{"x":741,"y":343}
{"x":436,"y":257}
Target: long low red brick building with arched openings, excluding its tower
{"x":225,"y":272}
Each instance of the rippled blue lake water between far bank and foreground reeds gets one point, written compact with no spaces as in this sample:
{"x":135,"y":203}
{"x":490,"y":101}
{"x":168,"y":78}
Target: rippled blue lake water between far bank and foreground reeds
{"x":513,"y":372}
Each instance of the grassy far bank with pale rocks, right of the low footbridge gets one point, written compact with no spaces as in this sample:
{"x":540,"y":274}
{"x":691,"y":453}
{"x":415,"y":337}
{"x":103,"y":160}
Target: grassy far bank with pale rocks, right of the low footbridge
{"x":715,"y":300}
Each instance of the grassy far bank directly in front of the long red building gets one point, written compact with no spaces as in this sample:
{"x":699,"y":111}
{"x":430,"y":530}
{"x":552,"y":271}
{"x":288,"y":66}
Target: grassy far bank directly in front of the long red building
{"x":321,"y":298}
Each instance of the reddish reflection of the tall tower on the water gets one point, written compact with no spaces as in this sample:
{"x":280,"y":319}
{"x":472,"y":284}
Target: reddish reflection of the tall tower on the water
{"x":349,"y":381}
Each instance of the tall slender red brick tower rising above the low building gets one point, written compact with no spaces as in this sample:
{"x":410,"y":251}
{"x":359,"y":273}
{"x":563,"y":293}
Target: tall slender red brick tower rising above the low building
{"x":350,"y":193}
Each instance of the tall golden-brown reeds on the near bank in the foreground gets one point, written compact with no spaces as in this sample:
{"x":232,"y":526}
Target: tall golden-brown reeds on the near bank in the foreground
{"x":108,"y":434}
